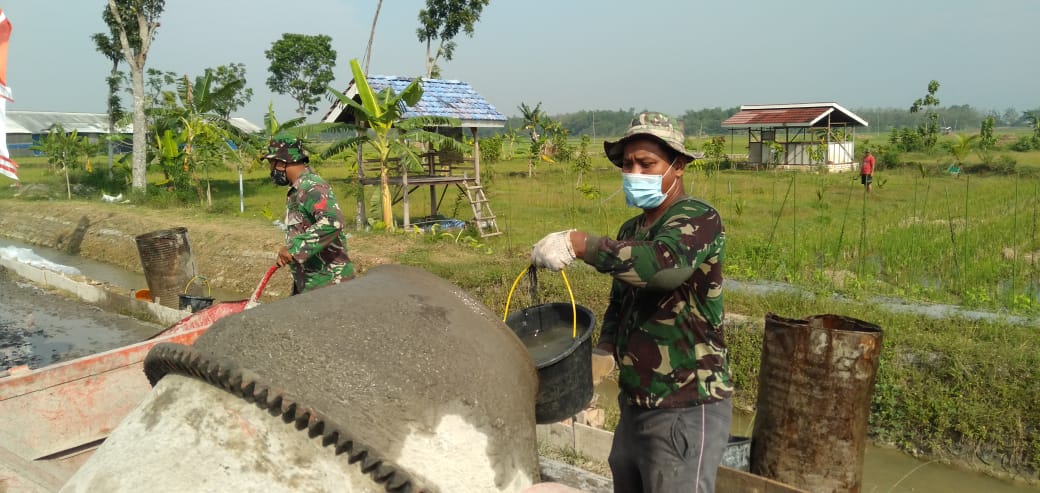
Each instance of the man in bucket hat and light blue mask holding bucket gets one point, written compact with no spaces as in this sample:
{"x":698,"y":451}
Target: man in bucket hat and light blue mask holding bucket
{"x":664,"y":322}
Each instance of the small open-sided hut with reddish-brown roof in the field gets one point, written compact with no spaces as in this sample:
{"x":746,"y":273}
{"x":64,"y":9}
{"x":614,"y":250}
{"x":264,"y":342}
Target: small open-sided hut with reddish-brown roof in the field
{"x":799,"y":137}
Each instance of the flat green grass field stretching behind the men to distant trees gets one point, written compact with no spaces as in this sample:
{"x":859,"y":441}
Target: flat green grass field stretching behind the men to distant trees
{"x":923,"y":236}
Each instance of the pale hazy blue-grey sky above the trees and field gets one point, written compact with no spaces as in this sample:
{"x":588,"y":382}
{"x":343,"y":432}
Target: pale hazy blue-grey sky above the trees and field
{"x":669,"y":56}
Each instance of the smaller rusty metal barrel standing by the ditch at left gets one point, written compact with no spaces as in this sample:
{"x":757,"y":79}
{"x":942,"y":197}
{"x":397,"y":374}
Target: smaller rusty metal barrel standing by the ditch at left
{"x":166,"y":256}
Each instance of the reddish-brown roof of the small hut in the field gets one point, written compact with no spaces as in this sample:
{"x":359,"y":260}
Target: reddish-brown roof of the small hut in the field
{"x":800,"y":115}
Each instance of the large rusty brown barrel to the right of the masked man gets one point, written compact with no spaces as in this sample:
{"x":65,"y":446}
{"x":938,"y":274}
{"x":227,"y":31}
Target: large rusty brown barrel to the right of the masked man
{"x":815,"y":390}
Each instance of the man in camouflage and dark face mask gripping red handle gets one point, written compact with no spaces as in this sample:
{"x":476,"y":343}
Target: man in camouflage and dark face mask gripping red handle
{"x":316,"y":244}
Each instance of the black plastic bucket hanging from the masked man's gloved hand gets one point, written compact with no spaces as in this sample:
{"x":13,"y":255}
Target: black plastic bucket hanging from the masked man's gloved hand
{"x":565,"y":377}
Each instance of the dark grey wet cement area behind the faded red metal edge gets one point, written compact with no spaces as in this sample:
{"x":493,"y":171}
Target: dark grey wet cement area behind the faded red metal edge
{"x":41,"y":328}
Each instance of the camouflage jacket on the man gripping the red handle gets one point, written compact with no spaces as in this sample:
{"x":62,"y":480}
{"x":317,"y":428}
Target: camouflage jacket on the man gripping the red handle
{"x":315,"y":235}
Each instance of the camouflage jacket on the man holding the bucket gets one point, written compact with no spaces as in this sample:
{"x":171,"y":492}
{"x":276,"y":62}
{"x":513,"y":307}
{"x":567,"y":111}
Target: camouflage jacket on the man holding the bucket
{"x":666,"y":309}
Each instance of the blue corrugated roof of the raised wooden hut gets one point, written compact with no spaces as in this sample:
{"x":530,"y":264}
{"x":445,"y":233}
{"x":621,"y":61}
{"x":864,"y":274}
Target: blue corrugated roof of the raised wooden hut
{"x":440,"y":98}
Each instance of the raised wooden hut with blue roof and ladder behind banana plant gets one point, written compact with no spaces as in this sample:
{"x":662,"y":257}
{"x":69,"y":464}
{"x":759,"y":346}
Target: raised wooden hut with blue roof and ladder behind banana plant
{"x":441,"y":171}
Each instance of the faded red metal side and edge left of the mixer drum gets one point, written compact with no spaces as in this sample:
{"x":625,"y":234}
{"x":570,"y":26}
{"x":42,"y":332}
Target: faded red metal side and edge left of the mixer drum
{"x":54,"y":418}
